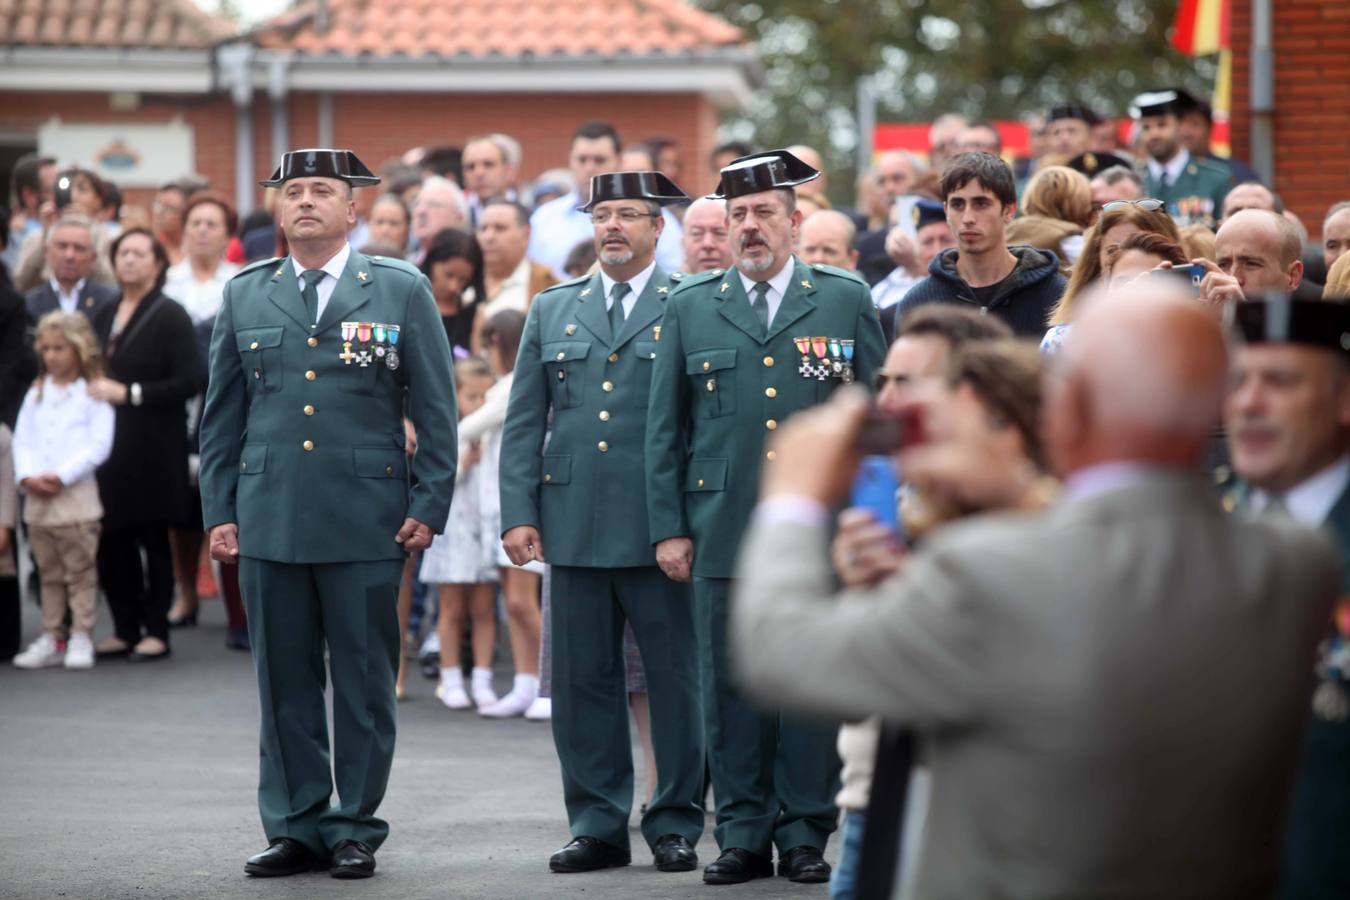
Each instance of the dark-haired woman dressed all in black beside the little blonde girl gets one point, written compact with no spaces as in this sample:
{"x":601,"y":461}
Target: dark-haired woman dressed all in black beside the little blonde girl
{"x":152,"y":372}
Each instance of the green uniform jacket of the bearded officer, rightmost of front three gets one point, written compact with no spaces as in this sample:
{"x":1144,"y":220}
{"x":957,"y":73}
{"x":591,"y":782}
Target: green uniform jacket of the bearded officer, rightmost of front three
{"x":719,"y":388}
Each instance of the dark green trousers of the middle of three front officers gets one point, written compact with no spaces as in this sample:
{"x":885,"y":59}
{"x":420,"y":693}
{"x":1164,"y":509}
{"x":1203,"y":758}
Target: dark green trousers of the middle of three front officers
{"x":591,"y":704}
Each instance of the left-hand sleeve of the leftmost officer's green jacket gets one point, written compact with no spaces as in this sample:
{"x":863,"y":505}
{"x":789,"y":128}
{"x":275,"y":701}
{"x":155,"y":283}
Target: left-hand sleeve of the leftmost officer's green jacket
{"x":222,"y":422}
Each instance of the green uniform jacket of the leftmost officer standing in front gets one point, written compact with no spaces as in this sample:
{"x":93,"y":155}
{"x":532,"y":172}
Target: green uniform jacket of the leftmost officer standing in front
{"x":304,"y":450}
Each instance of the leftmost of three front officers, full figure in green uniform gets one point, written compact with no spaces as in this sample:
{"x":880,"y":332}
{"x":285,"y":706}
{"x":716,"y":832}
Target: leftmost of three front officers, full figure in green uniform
{"x":315,"y":361}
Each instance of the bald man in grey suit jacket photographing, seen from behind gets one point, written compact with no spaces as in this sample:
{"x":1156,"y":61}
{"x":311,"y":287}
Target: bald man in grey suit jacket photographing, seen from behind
{"x":1109,"y":694}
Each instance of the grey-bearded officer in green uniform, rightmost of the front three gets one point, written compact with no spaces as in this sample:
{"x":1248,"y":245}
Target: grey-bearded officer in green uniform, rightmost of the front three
{"x":740,"y":351}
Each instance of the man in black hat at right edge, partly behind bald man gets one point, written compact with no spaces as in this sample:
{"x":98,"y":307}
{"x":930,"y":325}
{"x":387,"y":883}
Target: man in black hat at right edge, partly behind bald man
{"x":1289,"y":427}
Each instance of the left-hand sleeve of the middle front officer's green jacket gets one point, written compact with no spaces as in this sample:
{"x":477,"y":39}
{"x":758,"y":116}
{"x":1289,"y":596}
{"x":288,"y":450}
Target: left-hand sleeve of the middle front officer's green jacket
{"x":523,"y":432}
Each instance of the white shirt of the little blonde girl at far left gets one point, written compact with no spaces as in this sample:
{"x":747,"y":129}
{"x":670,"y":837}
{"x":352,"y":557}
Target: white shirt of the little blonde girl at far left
{"x":67,"y":432}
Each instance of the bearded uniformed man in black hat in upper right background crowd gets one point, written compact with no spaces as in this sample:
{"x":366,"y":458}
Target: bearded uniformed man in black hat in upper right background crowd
{"x":1193,"y":188}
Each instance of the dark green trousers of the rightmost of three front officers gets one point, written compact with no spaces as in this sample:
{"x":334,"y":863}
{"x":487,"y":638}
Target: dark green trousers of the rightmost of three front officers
{"x":774,"y":779}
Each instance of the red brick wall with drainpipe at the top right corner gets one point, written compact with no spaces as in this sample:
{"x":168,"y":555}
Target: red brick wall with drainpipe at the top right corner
{"x":1312,"y":96}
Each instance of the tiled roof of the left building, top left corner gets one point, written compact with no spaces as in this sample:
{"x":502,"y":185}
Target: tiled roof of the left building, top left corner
{"x":110,"y":24}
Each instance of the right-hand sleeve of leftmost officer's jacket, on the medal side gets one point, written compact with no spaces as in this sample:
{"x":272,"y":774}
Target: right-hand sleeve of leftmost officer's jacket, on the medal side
{"x":433,"y":407}
